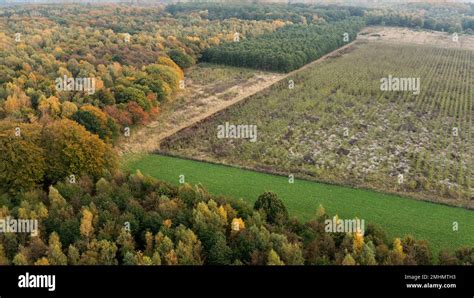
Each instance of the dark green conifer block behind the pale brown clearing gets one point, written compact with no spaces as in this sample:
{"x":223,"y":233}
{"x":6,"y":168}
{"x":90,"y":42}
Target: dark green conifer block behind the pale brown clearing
{"x":286,"y":49}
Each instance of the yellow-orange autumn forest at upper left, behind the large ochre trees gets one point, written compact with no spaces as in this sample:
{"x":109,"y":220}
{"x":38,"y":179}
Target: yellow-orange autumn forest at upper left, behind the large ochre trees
{"x":135,"y":55}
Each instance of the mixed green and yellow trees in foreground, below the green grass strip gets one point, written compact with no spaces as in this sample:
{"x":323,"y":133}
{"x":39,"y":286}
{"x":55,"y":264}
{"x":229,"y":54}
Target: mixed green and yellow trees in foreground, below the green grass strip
{"x":137,"y":220}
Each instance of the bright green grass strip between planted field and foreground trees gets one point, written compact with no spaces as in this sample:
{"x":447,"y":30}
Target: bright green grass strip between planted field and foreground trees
{"x":398,"y":216}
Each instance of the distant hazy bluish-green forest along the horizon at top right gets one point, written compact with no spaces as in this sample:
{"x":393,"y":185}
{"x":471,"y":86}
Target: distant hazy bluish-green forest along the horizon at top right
{"x":452,"y":17}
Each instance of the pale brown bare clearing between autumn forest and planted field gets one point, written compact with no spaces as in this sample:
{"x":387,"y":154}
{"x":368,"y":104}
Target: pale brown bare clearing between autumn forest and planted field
{"x":208,"y":88}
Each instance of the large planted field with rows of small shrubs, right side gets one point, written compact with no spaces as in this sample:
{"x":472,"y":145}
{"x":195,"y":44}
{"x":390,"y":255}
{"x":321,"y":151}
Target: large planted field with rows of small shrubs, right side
{"x":339,"y":125}
